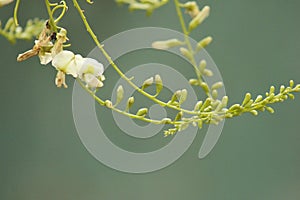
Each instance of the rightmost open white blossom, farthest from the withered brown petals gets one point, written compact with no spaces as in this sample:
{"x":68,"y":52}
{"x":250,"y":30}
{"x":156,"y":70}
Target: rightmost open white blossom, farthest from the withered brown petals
{"x":91,"y":72}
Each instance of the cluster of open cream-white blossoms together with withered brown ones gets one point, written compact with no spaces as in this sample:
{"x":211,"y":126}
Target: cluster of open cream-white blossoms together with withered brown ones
{"x":49,"y":48}
